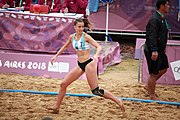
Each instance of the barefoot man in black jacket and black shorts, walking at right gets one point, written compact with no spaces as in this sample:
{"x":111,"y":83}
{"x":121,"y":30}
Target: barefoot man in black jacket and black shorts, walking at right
{"x":155,"y":45}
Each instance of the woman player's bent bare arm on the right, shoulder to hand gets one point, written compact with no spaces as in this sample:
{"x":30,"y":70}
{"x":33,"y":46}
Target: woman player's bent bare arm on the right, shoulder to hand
{"x":94,"y":43}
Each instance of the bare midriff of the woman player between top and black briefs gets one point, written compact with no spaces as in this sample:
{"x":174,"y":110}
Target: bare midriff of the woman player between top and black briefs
{"x":83,"y":55}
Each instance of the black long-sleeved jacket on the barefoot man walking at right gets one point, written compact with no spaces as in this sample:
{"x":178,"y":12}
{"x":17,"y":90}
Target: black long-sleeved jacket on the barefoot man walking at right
{"x":156,"y":33}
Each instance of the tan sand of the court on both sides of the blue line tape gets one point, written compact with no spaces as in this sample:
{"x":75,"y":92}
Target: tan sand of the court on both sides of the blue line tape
{"x":115,"y":79}
